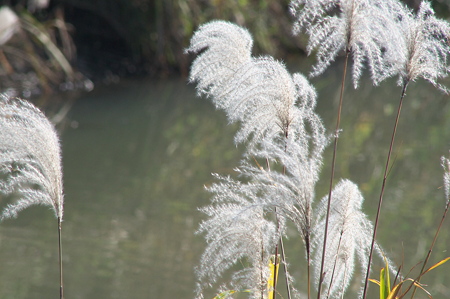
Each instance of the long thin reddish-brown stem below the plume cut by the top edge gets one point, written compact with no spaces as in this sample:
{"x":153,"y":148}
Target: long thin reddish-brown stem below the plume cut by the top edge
{"x":333,"y":163}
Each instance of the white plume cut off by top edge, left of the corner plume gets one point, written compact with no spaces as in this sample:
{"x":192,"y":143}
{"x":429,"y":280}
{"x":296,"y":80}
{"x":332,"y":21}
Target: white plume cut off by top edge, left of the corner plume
{"x":364,"y":28}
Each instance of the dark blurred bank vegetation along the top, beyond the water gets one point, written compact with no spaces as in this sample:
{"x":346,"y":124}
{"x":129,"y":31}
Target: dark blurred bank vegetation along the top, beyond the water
{"x":108,"y":40}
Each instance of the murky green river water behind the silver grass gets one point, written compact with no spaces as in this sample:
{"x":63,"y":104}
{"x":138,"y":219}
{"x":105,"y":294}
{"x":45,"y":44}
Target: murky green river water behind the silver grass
{"x":136,"y":156}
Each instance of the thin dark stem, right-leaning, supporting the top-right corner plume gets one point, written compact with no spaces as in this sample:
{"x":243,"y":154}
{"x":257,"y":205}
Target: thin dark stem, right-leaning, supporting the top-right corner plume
{"x":386,"y":169}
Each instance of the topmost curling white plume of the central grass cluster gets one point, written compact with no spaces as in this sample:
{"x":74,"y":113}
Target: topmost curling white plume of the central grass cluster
{"x":257,"y":92}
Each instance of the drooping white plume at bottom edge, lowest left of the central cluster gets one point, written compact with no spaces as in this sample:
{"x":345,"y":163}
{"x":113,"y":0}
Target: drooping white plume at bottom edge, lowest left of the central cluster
{"x":236,"y":230}
